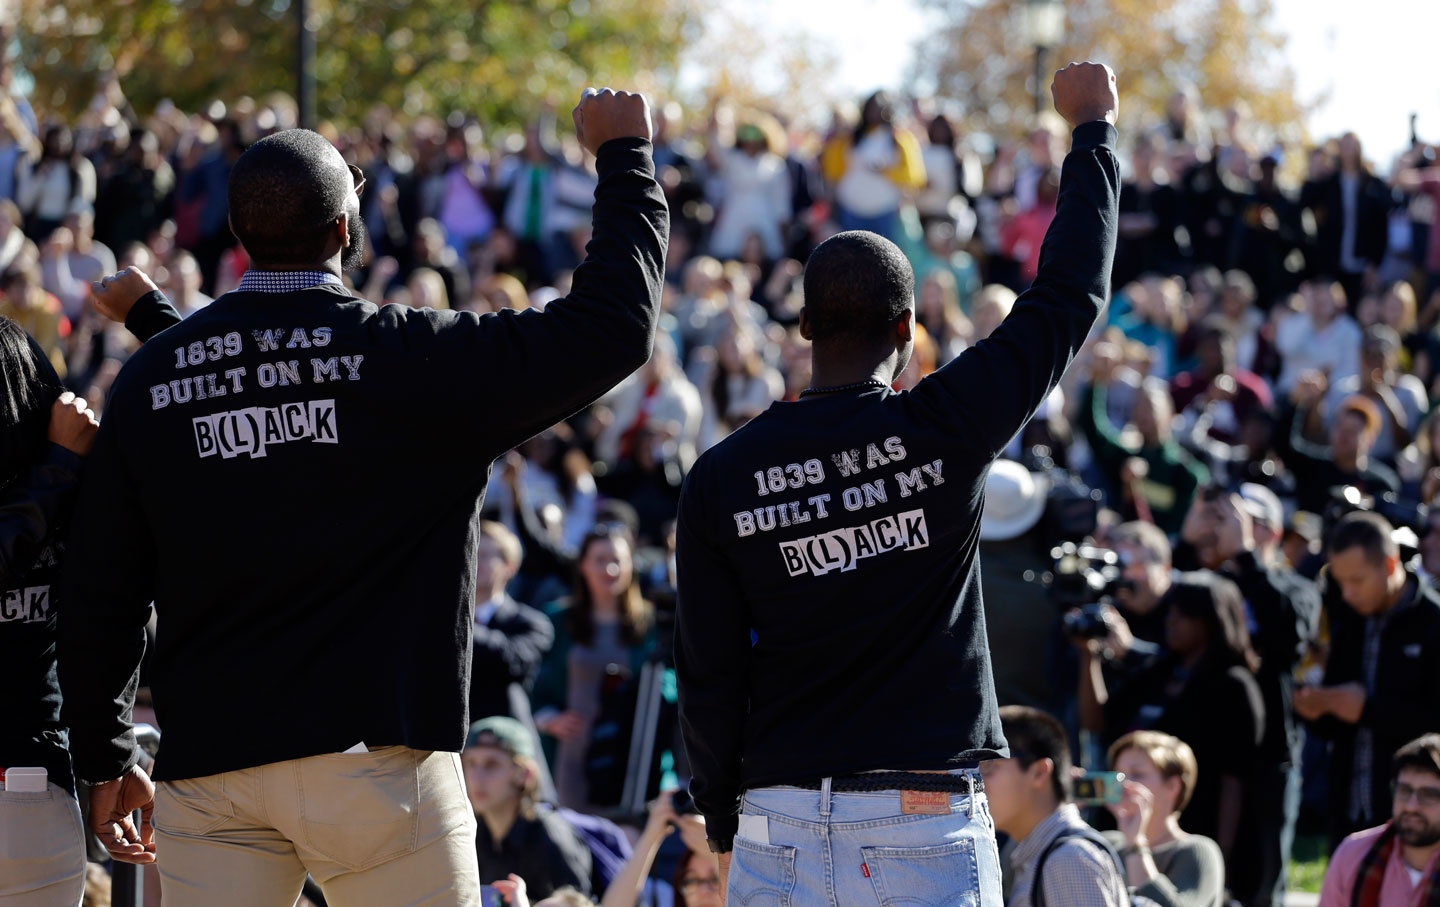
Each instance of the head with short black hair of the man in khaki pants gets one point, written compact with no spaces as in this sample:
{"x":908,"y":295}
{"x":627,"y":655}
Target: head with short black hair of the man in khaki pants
{"x":284,"y":194}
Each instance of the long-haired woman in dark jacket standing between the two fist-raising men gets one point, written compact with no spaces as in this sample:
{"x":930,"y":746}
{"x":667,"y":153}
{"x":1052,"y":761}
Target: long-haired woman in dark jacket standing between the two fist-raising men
{"x":603,"y":636}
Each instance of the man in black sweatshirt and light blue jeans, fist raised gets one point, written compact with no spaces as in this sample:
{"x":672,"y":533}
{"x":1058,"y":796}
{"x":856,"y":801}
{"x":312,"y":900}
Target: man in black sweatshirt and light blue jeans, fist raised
{"x":836,"y":686}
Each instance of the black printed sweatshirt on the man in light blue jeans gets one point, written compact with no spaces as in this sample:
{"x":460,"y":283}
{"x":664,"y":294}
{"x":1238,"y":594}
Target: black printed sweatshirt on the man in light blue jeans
{"x":843,"y":531}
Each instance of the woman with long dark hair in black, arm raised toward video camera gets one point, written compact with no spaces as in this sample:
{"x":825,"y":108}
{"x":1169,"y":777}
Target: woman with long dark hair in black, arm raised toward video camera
{"x":1202,"y":690}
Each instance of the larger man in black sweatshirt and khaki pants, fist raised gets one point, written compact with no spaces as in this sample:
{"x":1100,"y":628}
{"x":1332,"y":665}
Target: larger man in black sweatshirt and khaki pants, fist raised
{"x":254,"y":479}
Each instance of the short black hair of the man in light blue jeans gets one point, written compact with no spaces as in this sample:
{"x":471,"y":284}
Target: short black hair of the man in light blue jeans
{"x":858,"y":286}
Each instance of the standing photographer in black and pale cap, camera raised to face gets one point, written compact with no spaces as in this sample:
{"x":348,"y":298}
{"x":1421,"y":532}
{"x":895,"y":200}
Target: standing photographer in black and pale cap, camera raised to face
{"x":1239,"y":536}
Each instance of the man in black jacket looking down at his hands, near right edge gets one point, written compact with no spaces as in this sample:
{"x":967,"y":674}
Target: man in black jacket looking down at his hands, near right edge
{"x":1382,"y":687}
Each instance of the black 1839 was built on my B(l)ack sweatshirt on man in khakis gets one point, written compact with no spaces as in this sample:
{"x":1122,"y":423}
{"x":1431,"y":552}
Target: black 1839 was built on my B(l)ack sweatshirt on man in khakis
{"x":274,"y":476}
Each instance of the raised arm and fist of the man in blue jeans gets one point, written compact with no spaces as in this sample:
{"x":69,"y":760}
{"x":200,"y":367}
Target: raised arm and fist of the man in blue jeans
{"x":1025,"y":359}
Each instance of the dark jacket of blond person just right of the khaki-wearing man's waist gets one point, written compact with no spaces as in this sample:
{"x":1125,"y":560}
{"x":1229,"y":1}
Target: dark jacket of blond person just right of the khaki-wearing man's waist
{"x":508,"y":654}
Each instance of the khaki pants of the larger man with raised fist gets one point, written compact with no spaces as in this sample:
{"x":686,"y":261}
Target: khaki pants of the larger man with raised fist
{"x":387,"y":829}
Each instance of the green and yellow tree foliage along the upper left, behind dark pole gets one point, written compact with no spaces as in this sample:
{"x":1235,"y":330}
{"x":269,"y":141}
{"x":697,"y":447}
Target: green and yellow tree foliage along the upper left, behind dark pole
{"x":499,"y":60}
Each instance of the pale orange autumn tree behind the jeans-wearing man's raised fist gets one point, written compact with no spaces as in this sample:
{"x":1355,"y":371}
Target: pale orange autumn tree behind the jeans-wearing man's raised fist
{"x":1226,"y":50}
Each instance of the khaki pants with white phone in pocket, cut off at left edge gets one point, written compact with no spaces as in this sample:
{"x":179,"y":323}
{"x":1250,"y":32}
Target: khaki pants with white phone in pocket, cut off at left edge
{"x":42,"y":849}
